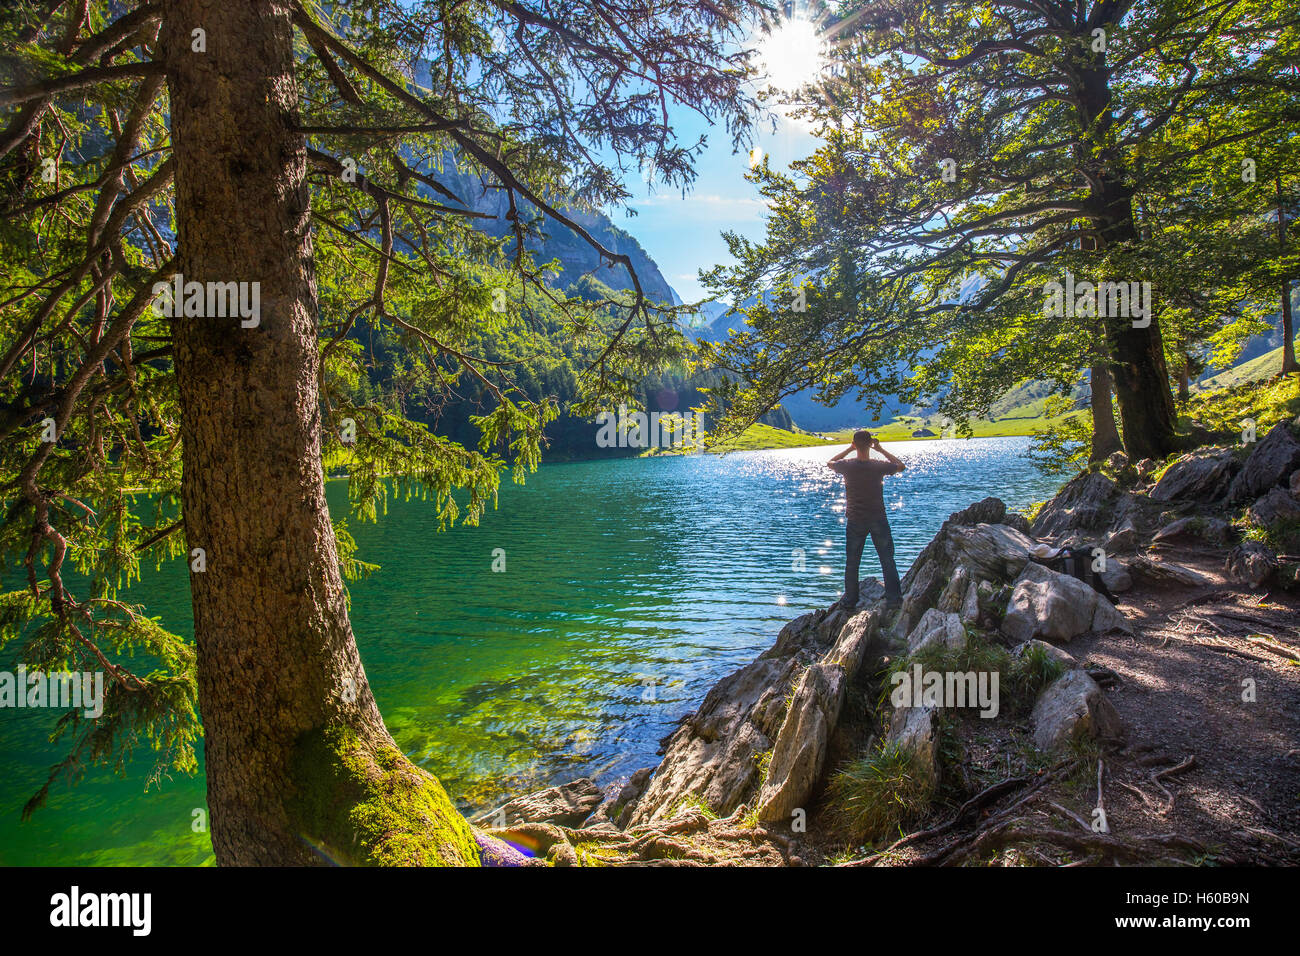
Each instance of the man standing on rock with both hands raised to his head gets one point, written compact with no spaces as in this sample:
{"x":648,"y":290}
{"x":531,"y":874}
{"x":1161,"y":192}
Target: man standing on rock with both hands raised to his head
{"x":865,"y":514}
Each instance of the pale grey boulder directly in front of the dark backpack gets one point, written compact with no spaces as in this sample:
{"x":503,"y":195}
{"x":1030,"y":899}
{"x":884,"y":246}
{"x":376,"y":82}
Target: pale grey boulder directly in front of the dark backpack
{"x":1056,"y":608}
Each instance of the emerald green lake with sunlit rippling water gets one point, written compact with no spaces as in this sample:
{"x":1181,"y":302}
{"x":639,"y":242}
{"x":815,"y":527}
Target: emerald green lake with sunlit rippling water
{"x":629,"y":589}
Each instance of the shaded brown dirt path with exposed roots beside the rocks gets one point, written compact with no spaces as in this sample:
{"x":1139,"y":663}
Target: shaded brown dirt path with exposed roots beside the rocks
{"x":1181,"y":685}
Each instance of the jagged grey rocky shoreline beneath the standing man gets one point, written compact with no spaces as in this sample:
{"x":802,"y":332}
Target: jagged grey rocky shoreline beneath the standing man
{"x":740,"y":776}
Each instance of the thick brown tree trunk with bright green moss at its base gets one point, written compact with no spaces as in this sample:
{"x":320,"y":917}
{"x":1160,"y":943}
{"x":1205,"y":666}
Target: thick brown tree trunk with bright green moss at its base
{"x":300,"y":765}
